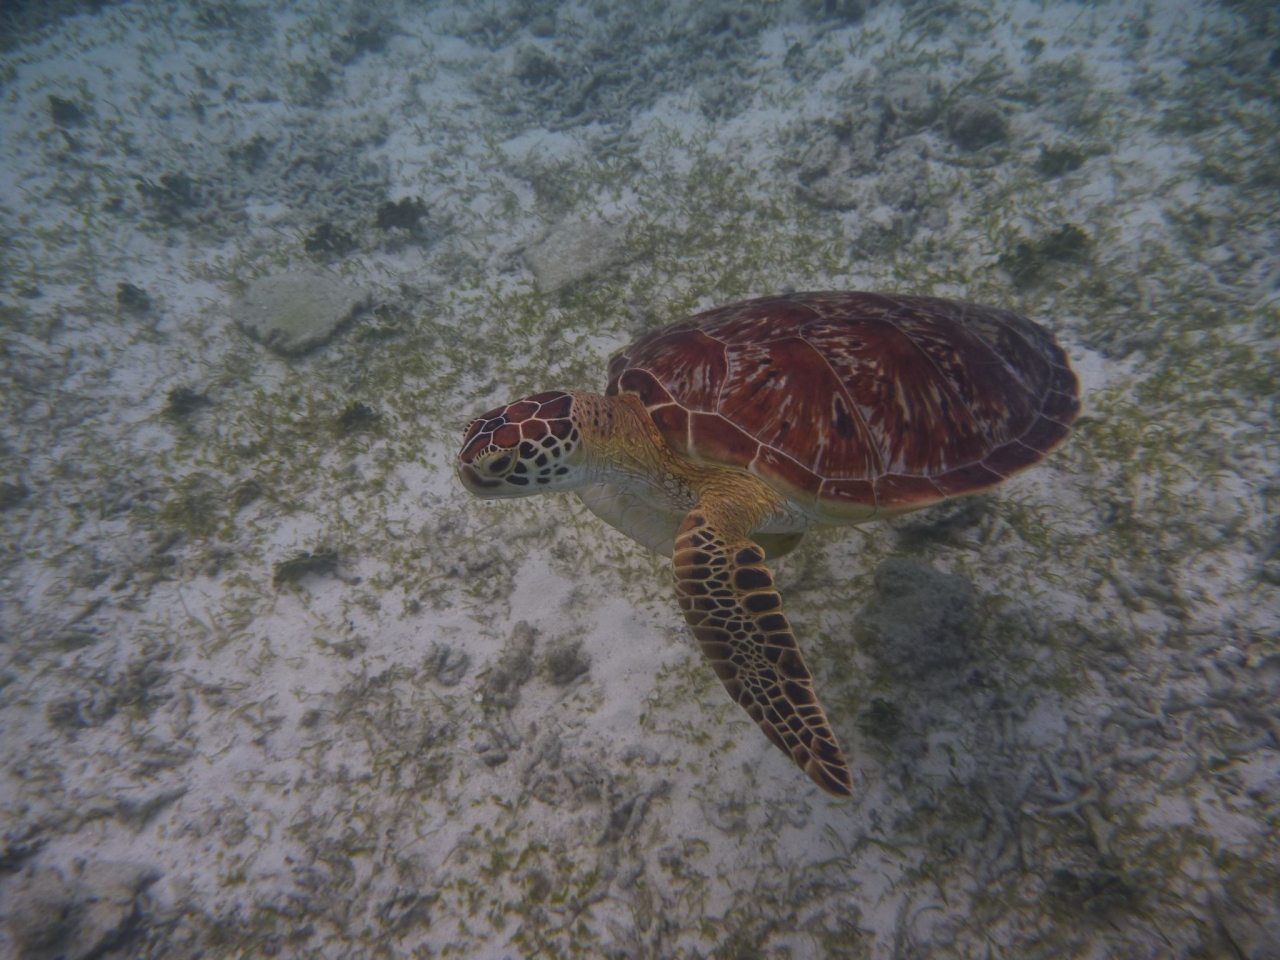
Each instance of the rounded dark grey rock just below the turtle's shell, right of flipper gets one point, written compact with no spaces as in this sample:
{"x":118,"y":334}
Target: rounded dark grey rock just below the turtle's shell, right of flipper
{"x":921,"y":619}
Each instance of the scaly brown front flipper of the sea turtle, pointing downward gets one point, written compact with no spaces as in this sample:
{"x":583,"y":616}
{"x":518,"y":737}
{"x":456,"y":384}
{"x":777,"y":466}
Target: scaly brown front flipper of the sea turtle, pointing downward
{"x":729,"y":600}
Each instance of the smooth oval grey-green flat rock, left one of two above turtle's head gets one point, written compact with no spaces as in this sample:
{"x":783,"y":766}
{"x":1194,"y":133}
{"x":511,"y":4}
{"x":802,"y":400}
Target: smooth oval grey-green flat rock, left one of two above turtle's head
{"x":298,"y":312}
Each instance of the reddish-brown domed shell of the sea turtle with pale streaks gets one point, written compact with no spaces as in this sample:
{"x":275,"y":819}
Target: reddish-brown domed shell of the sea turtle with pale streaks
{"x":857,"y":404}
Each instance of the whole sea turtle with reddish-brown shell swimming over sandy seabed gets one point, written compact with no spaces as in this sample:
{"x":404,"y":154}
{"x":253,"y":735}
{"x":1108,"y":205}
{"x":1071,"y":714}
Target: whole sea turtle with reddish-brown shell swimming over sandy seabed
{"x":723,"y":438}
